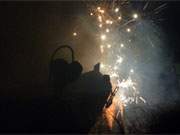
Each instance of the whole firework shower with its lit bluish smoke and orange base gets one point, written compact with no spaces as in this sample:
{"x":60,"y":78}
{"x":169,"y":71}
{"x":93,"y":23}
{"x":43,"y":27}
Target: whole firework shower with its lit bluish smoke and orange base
{"x":123,"y":36}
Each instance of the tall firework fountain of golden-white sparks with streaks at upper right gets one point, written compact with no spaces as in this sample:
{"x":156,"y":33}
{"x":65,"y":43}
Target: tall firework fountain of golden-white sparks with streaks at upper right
{"x":117,"y":34}
